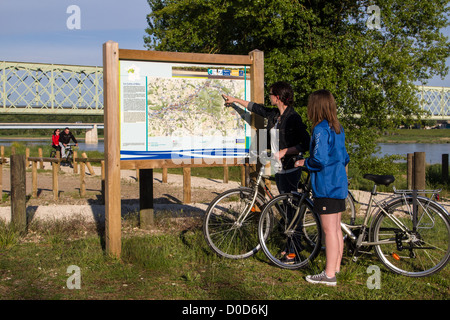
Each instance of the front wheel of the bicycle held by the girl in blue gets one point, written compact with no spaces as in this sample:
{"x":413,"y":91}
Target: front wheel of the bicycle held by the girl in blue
{"x":289,"y":247}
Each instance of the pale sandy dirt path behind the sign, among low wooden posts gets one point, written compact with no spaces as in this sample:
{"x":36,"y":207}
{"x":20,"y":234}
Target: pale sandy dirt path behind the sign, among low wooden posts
{"x":167,"y":196}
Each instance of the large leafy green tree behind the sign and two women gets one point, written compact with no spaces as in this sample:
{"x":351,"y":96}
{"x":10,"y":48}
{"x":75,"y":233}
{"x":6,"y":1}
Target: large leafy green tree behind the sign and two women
{"x":369,"y":64}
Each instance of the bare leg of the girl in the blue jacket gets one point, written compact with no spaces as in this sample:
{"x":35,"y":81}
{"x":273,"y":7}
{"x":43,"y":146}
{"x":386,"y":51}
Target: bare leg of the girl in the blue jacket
{"x":333,"y":242}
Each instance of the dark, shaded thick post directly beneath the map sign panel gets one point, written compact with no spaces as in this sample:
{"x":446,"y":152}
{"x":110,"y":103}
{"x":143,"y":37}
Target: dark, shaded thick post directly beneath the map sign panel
{"x":146,"y":213}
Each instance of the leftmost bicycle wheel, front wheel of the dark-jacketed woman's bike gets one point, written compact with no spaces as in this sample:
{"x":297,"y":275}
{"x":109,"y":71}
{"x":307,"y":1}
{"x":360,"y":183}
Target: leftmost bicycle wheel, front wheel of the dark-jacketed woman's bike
{"x":227,"y":230}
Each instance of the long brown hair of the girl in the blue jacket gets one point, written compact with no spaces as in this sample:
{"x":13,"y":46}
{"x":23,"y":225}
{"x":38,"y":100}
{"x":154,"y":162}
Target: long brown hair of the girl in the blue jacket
{"x":322,"y":106}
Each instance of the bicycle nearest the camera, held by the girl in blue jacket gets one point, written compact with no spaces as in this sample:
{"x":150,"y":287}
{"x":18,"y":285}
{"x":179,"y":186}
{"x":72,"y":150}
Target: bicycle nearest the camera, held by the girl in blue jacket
{"x":407,"y":223}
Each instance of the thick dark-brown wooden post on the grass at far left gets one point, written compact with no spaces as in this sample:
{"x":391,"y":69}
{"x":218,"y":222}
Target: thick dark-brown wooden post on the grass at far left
{"x":18,"y":192}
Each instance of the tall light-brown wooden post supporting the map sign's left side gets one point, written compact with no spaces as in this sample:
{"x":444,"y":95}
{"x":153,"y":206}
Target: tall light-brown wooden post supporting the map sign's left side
{"x":111,"y":89}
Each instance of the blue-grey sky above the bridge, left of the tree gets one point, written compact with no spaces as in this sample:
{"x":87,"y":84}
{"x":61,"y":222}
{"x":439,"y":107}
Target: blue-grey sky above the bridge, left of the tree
{"x":46,"y":31}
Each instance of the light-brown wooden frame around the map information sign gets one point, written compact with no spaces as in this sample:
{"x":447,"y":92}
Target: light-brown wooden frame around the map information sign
{"x":111,"y":86}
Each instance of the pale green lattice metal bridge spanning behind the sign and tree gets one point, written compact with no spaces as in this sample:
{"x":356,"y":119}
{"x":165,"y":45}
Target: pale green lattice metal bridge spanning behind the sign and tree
{"x":36,"y":88}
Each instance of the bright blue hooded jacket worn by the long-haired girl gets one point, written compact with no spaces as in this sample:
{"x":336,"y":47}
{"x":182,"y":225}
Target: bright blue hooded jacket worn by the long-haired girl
{"x":327,"y":161}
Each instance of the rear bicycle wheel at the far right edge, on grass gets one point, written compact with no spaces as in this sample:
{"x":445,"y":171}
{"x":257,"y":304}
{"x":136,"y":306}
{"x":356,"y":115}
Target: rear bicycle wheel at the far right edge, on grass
{"x":414,"y":253}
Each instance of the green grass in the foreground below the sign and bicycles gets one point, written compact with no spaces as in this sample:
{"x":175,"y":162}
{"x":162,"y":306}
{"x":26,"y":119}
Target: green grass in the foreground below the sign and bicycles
{"x":173,"y":262}
